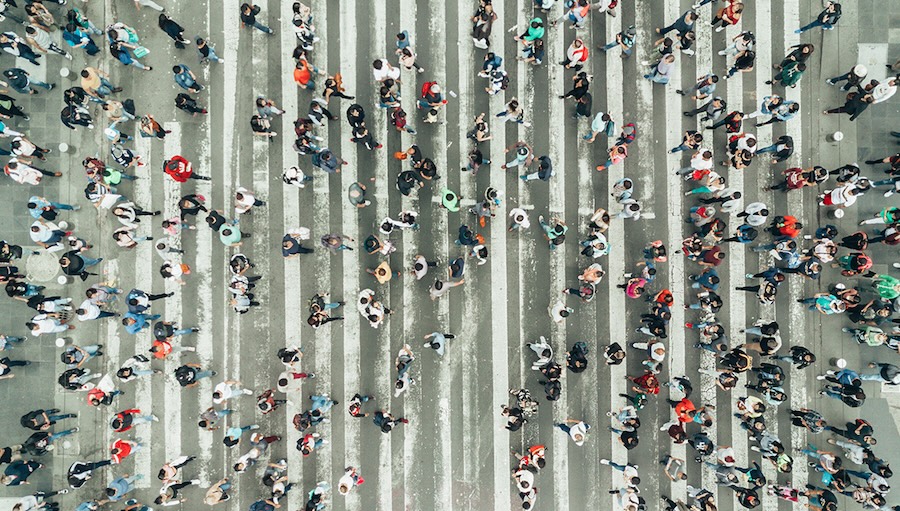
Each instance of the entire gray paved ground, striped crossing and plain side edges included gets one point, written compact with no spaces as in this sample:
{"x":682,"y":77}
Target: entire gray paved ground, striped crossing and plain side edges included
{"x":454,"y":453}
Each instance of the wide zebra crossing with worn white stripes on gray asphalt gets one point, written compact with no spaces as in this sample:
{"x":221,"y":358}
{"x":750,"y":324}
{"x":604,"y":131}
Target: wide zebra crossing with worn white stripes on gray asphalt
{"x":454,"y":453}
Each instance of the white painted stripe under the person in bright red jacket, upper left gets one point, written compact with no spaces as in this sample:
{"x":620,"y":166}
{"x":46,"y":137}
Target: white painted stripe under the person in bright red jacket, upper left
{"x":172,"y":146}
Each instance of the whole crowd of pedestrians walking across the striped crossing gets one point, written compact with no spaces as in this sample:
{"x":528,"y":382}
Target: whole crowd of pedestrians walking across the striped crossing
{"x":868,"y":302}
